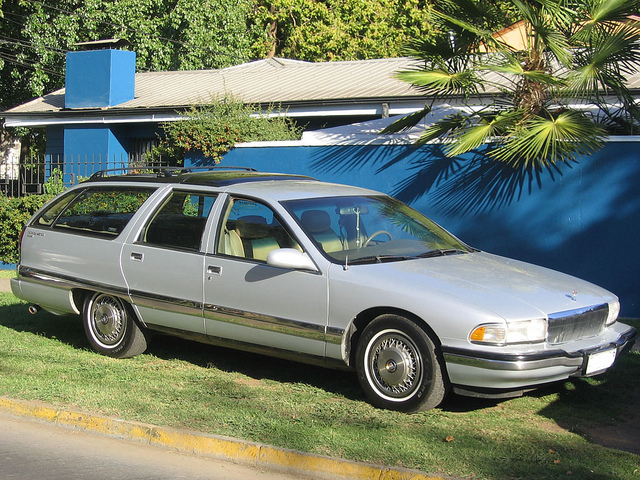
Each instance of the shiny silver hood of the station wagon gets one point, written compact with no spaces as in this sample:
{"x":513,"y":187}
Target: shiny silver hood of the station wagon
{"x":509,"y":288}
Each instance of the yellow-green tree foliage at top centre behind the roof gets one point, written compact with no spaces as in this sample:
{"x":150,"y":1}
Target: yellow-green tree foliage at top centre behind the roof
{"x":316,"y":30}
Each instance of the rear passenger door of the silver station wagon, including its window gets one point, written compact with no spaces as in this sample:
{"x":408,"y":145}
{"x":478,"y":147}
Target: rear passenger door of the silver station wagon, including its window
{"x":163,"y":267}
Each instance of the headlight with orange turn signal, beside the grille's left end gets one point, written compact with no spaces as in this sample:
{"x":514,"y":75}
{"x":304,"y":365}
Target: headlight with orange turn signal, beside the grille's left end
{"x":528,"y":331}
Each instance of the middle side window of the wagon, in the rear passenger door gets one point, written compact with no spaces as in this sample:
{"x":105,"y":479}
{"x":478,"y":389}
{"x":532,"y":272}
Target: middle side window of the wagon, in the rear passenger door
{"x":180,"y":221}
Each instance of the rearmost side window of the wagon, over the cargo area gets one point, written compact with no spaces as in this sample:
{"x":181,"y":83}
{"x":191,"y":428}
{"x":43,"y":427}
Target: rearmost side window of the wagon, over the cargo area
{"x":95,"y":211}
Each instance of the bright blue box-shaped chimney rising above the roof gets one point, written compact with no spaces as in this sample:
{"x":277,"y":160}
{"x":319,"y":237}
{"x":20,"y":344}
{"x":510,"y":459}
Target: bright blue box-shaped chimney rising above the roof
{"x":99,"y":78}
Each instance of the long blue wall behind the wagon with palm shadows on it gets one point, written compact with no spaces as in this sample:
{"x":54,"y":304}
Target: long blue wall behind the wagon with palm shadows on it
{"x":585,"y":222}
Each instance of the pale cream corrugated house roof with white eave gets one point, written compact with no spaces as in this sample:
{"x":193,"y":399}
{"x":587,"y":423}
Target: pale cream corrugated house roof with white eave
{"x":366,"y":88}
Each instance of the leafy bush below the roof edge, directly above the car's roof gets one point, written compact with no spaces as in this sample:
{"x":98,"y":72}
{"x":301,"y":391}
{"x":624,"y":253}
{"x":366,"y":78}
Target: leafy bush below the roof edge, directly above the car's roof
{"x":214,"y":129}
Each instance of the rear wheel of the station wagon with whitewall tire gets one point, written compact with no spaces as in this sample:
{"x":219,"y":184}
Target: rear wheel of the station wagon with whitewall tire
{"x":111,"y":327}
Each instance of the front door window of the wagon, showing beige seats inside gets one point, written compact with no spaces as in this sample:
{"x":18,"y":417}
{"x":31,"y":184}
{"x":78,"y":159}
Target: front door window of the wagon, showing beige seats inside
{"x":251,"y":230}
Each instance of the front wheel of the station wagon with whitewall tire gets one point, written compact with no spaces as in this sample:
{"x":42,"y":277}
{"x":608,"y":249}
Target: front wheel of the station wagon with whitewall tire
{"x":399,"y":367}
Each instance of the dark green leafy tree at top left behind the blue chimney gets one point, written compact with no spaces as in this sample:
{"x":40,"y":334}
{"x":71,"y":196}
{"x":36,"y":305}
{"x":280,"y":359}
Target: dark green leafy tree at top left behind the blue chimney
{"x":166,"y":35}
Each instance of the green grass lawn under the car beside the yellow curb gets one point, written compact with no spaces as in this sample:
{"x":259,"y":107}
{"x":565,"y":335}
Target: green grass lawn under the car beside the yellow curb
{"x":218,"y":391}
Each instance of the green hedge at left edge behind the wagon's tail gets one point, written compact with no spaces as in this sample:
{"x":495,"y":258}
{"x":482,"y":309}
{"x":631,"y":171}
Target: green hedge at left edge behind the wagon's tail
{"x":14,"y":214}
